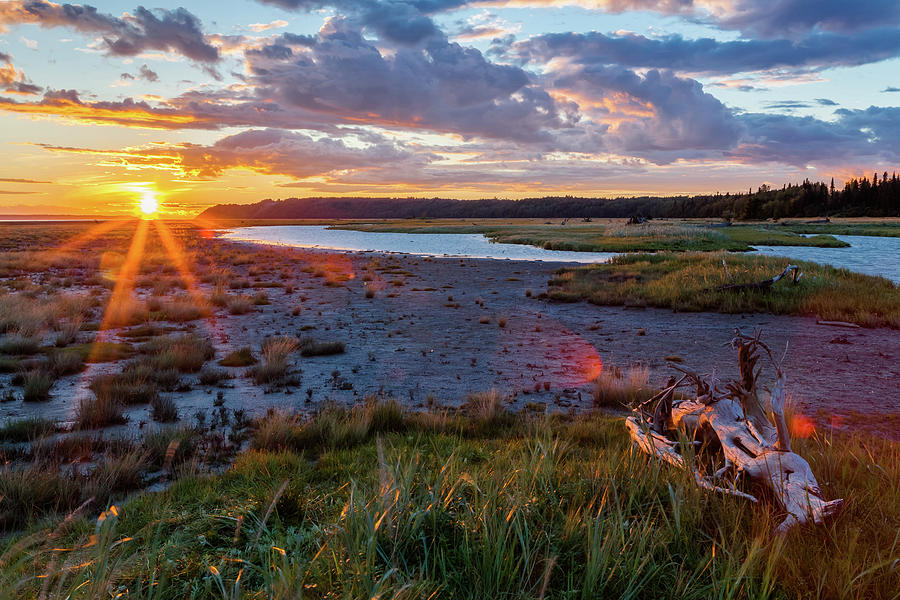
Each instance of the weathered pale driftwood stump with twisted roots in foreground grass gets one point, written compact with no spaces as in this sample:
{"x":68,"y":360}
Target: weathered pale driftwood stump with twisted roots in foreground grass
{"x":754,"y":443}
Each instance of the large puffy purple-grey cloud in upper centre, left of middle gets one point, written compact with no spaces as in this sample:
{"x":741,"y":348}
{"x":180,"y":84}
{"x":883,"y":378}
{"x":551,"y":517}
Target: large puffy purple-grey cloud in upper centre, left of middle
{"x":440,"y":86}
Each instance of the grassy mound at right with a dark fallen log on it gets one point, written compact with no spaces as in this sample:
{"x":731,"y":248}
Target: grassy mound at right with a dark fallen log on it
{"x":687,"y":282}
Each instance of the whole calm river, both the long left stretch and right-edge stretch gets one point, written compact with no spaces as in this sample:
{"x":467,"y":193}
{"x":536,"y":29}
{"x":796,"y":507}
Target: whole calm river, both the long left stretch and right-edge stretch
{"x":866,"y":254}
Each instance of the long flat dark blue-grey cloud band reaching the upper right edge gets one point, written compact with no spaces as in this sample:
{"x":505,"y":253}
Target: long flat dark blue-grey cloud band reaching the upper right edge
{"x":710,"y":56}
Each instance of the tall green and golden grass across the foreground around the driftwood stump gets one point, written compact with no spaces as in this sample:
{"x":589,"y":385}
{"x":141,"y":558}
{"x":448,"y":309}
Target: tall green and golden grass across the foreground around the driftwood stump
{"x":429,"y":506}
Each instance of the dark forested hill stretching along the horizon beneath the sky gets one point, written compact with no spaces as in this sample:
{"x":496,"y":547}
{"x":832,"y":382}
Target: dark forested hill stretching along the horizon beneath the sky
{"x":860,"y":197}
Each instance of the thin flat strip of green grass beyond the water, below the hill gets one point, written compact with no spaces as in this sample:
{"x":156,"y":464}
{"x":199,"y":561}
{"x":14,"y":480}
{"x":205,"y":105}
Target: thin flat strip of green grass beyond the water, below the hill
{"x":612,"y":236}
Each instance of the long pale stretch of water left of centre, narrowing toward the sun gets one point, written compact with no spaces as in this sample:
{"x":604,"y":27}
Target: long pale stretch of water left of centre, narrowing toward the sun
{"x":471,"y":245}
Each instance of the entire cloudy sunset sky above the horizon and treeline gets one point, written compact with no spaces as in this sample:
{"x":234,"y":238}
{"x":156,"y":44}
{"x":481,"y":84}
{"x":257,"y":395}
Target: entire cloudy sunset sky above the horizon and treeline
{"x":110,"y":106}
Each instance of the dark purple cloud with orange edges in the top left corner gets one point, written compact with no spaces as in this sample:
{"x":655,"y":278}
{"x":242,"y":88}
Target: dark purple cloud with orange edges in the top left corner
{"x":176,"y":30}
